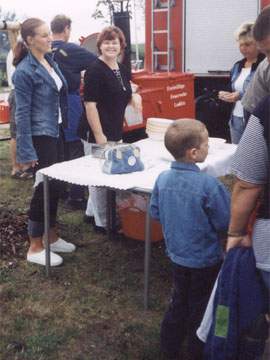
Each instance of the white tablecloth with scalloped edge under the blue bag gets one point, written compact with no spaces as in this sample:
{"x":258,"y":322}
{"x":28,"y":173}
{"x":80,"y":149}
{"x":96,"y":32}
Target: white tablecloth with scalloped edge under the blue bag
{"x":87,"y":170}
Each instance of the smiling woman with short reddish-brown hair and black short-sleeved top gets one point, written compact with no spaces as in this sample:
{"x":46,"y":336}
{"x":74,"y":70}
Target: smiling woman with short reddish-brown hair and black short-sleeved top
{"x":107,"y":91}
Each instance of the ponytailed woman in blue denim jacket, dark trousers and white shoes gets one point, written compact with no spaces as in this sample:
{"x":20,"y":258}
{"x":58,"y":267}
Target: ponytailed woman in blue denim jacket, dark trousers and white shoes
{"x":40,"y":92}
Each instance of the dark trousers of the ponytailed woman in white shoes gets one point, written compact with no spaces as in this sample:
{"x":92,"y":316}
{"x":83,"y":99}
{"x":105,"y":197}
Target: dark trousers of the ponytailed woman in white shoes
{"x":49,"y":151}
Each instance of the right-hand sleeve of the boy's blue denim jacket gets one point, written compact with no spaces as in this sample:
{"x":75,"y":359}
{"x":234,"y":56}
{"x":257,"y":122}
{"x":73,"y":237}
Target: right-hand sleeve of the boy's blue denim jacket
{"x":218,"y":207}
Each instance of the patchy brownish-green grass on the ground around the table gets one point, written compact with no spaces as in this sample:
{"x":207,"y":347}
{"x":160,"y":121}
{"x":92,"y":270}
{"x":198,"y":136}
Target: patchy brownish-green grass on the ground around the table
{"x":91,"y":308}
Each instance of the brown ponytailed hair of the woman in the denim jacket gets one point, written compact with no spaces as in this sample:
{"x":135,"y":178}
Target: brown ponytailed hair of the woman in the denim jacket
{"x":28,"y":28}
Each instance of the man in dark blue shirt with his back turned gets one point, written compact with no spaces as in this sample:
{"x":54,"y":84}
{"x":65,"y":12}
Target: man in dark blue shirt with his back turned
{"x":72,"y":59}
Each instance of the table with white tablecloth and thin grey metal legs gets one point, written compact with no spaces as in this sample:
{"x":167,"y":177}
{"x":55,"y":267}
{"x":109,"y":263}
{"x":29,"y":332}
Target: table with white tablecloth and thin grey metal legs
{"x":86,"y":171}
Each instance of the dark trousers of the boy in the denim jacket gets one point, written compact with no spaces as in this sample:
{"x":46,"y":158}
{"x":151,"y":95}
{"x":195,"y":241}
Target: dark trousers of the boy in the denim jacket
{"x":191,"y":291}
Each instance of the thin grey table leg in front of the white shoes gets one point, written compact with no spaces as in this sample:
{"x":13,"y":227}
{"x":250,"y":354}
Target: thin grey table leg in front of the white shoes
{"x":46,"y":222}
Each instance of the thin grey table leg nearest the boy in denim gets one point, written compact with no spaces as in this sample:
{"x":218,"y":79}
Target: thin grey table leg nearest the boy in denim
{"x":147,"y":253}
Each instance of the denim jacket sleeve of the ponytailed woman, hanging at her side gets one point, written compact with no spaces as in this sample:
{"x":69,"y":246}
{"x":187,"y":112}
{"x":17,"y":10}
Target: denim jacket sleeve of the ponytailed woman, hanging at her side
{"x":23,"y":97}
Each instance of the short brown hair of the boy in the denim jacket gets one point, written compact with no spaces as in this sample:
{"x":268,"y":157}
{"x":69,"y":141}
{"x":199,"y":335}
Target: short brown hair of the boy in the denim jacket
{"x":183,"y":135}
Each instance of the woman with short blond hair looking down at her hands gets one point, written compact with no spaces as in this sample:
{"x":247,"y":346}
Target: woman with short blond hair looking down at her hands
{"x":241,"y":74}
